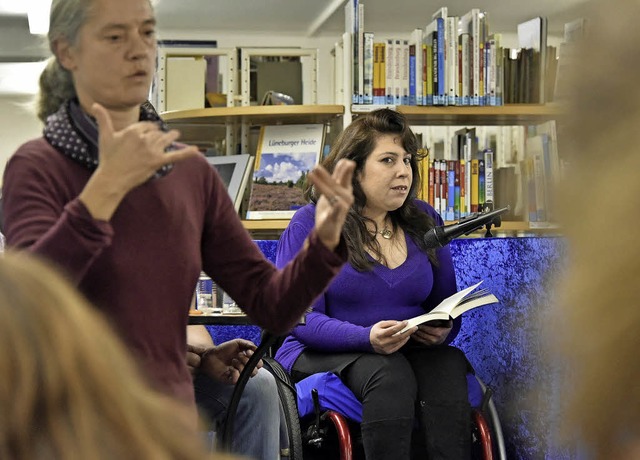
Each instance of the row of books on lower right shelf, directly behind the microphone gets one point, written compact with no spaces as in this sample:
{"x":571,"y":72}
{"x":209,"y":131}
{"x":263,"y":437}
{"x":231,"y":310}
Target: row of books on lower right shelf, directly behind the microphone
{"x":463,"y":173}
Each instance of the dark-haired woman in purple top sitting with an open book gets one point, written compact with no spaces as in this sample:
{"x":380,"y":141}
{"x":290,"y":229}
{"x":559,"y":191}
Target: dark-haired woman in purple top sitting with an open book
{"x":391,"y":277}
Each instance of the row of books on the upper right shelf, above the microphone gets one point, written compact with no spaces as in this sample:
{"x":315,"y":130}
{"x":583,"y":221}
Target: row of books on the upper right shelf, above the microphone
{"x":453,"y":60}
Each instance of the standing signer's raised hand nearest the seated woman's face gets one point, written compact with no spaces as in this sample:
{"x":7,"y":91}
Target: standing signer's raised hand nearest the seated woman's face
{"x":336,"y":197}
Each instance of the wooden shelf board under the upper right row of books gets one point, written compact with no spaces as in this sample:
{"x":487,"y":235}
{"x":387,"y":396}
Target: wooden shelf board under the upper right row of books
{"x":511,"y":114}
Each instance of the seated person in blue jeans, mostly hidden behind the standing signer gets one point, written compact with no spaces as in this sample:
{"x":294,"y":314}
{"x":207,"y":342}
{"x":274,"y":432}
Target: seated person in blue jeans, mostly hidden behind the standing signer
{"x":257,"y":423}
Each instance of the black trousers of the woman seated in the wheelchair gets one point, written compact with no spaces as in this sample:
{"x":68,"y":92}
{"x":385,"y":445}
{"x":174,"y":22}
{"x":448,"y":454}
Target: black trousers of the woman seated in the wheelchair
{"x":417,"y":386}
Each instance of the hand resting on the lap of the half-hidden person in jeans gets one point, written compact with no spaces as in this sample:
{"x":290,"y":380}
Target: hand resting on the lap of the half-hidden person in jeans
{"x":224,"y":362}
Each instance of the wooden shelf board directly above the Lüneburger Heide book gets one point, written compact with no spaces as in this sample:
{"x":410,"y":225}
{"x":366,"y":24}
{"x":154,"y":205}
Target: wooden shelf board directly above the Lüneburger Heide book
{"x":256,"y":115}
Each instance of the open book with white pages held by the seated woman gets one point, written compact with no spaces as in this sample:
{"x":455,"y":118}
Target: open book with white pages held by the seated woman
{"x":455,"y":305}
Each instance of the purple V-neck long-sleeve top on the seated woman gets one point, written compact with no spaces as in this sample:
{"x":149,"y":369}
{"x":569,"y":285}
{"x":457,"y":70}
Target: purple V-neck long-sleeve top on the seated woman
{"x":341,"y":319}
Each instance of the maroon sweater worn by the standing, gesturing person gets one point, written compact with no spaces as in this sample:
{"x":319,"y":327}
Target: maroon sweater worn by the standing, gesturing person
{"x":141,"y":267}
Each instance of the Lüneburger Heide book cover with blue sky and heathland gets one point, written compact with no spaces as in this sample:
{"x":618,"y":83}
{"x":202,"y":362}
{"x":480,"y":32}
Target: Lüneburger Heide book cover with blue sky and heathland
{"x":285,"y":155}
